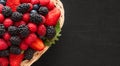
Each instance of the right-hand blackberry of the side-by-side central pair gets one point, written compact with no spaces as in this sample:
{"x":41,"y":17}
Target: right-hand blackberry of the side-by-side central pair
{"x":23,"y":30}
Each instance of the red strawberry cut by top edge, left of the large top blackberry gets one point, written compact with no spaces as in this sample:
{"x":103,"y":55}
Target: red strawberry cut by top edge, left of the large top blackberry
{"x":13,"y":4}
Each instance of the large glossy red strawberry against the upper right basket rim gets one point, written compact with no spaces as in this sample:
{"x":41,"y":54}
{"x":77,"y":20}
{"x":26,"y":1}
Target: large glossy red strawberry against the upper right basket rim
{"x":52,"y":17}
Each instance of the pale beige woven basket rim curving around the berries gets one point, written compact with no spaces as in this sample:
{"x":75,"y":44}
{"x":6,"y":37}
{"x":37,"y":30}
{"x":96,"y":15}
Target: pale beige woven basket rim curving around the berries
{"x":38,"y":54}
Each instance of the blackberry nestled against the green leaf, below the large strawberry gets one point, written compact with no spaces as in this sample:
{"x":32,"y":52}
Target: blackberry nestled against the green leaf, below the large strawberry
{"x":50,"y":32}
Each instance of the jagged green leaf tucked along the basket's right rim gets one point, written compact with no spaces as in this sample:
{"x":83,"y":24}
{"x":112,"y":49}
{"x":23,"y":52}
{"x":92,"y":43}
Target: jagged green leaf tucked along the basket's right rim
{"x":52,"y":41}
